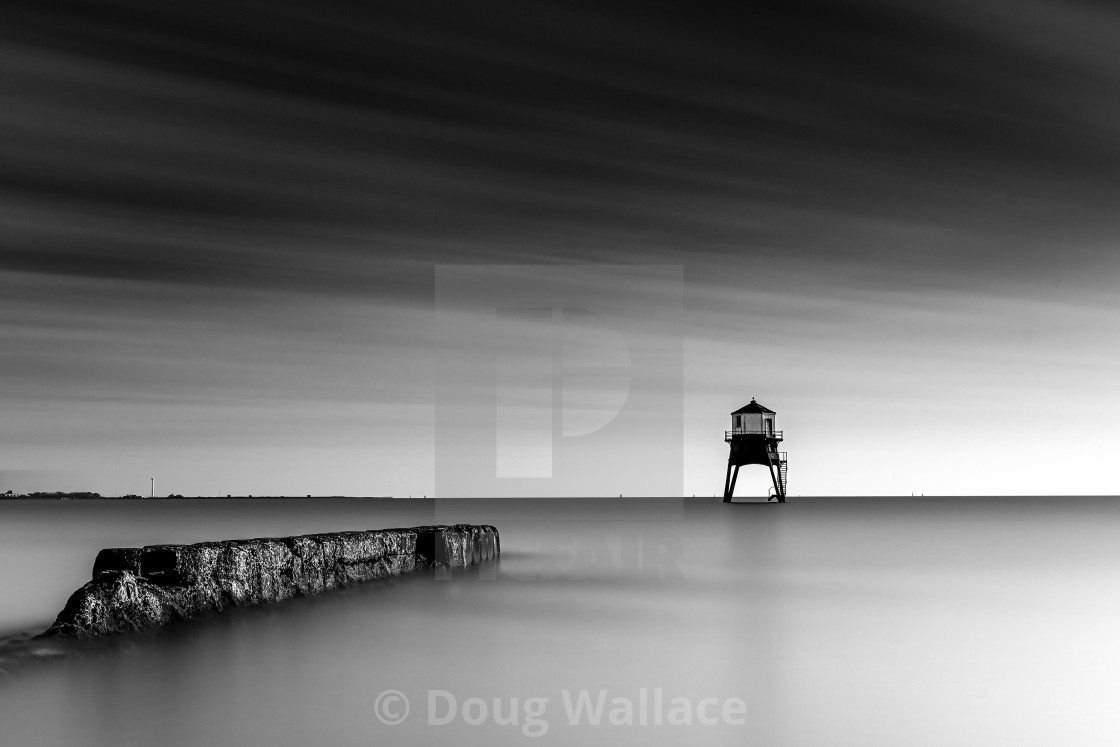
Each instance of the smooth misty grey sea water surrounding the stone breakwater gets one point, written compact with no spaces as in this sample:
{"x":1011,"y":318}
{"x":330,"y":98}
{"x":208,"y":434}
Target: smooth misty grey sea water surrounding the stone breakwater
{"x":820,"y":622}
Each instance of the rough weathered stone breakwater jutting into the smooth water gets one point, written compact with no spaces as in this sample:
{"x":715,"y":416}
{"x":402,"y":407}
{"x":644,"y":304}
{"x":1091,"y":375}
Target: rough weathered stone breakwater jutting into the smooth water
{"x":142,"y":589}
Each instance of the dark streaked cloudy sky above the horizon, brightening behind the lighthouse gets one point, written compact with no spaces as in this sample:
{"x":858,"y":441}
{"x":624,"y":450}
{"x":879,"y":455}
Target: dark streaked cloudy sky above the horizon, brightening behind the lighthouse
{"x":222,"y":228}
